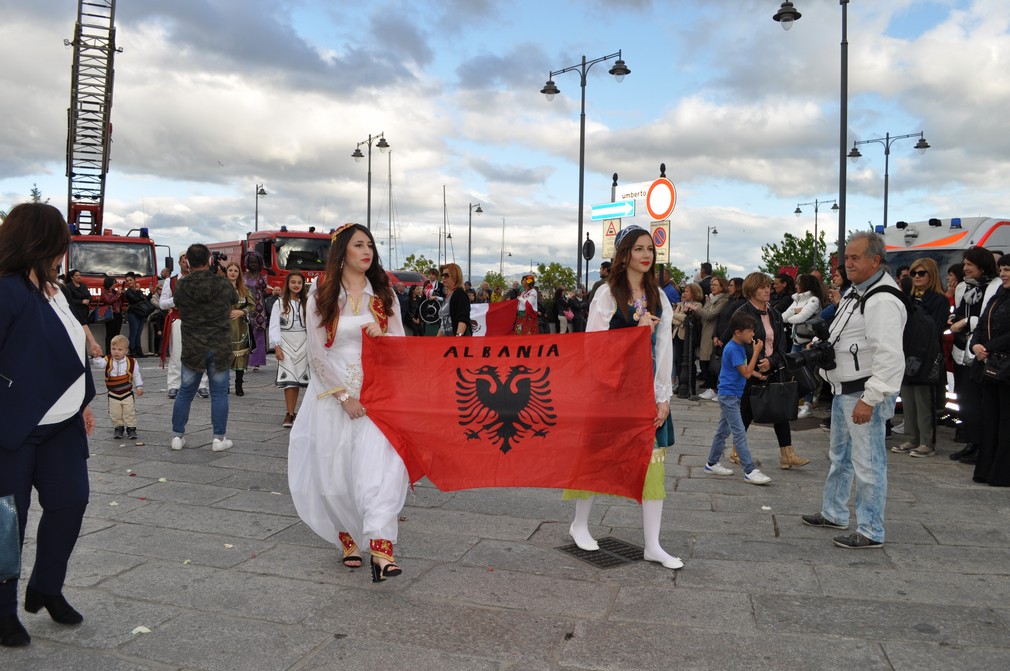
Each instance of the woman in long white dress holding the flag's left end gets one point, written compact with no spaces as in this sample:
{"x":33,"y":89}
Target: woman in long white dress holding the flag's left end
{"x":348,"y":483}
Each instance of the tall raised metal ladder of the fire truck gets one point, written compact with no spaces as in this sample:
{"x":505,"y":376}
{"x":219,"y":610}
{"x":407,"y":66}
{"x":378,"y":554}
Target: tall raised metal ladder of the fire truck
{"x":88,"y":128}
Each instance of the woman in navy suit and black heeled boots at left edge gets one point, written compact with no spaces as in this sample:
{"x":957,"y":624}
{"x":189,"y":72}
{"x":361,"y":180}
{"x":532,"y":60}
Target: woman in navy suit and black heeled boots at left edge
{"x":45,"y":421}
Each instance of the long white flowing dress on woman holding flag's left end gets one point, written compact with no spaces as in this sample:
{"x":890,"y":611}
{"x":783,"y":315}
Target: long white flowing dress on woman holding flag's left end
{"x":344,"y":474}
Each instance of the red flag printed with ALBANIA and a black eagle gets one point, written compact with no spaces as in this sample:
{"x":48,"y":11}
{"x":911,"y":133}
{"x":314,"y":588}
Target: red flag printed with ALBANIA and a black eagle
{"x":572,"y":412}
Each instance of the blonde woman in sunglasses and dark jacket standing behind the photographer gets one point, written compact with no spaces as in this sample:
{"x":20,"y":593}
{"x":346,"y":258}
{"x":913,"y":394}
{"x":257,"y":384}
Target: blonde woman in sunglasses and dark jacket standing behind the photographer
{"x":919,"y":400}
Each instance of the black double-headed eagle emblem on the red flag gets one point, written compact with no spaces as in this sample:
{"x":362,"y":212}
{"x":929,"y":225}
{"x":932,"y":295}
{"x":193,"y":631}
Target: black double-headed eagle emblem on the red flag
{"x":504,"y":412}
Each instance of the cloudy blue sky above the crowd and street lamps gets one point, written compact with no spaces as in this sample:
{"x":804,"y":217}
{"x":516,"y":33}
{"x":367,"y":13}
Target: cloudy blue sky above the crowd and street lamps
{"x":214,"y":98}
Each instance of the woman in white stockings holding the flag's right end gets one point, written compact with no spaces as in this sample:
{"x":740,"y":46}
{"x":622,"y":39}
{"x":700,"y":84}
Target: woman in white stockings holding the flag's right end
{"x":632,"y":298}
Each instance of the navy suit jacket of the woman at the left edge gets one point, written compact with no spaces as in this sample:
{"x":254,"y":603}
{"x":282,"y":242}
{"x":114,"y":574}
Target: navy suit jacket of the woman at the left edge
{"x":38,"y":361}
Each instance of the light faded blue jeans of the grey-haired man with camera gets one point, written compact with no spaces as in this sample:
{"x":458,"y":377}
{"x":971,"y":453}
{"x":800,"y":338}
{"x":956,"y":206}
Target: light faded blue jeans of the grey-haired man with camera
{"x":858,"y":451}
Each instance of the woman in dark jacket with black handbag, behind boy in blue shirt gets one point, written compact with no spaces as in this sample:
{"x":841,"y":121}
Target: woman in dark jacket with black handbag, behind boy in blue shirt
{"x":771,"y":331}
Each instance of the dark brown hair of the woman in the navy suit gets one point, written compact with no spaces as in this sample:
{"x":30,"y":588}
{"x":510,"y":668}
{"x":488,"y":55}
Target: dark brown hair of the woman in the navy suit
{"x":33,"y":236}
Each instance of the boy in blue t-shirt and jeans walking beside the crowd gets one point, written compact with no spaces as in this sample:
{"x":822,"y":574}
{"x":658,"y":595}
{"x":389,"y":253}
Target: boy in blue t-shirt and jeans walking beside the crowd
{"x":734,"y":377}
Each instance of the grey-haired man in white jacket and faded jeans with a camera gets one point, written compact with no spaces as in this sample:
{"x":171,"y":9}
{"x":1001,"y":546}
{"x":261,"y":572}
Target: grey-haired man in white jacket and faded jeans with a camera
{"x":866,"y":377}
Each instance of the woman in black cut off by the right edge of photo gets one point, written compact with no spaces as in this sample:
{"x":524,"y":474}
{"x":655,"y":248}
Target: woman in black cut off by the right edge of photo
{"x":992,"y":339}
